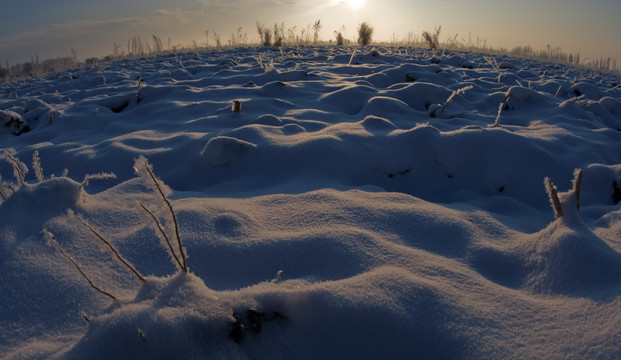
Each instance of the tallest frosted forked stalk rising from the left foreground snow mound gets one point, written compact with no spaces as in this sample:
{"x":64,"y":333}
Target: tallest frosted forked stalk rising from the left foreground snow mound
{"x":145,"y":171}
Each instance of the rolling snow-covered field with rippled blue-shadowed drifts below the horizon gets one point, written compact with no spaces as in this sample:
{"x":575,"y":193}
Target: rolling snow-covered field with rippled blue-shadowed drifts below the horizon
{"x":388,"y":204}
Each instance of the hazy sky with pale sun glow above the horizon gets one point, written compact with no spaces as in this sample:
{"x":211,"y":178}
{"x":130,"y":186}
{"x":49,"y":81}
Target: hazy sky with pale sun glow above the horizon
{"x":48,"y":29}
